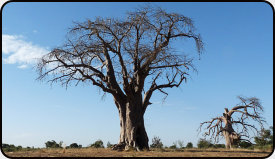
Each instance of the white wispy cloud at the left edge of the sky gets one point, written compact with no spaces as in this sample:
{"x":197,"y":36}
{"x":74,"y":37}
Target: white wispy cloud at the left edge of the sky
{"x":19,"y":51}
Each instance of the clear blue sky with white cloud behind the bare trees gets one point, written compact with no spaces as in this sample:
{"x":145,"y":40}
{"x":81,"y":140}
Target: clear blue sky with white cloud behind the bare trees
{"x":238,"y":60}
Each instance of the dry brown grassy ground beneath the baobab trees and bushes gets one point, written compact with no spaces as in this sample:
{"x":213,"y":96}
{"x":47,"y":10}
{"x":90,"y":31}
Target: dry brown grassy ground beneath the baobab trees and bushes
{"x":106,"y":152}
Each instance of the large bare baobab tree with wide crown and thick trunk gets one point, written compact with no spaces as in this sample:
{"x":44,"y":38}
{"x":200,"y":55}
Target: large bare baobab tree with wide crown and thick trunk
{"x":129,"y":58}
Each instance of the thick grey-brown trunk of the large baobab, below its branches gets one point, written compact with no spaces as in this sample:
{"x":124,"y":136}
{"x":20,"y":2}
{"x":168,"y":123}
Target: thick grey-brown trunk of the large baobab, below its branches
{"x":132,"y":129}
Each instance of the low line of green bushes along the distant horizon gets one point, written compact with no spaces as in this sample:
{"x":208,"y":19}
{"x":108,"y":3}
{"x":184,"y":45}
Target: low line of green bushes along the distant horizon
{"x":263,"y":141}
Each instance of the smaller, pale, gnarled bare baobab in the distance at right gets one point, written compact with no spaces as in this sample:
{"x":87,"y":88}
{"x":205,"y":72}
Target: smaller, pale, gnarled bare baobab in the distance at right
{"x":247,"y":115}
